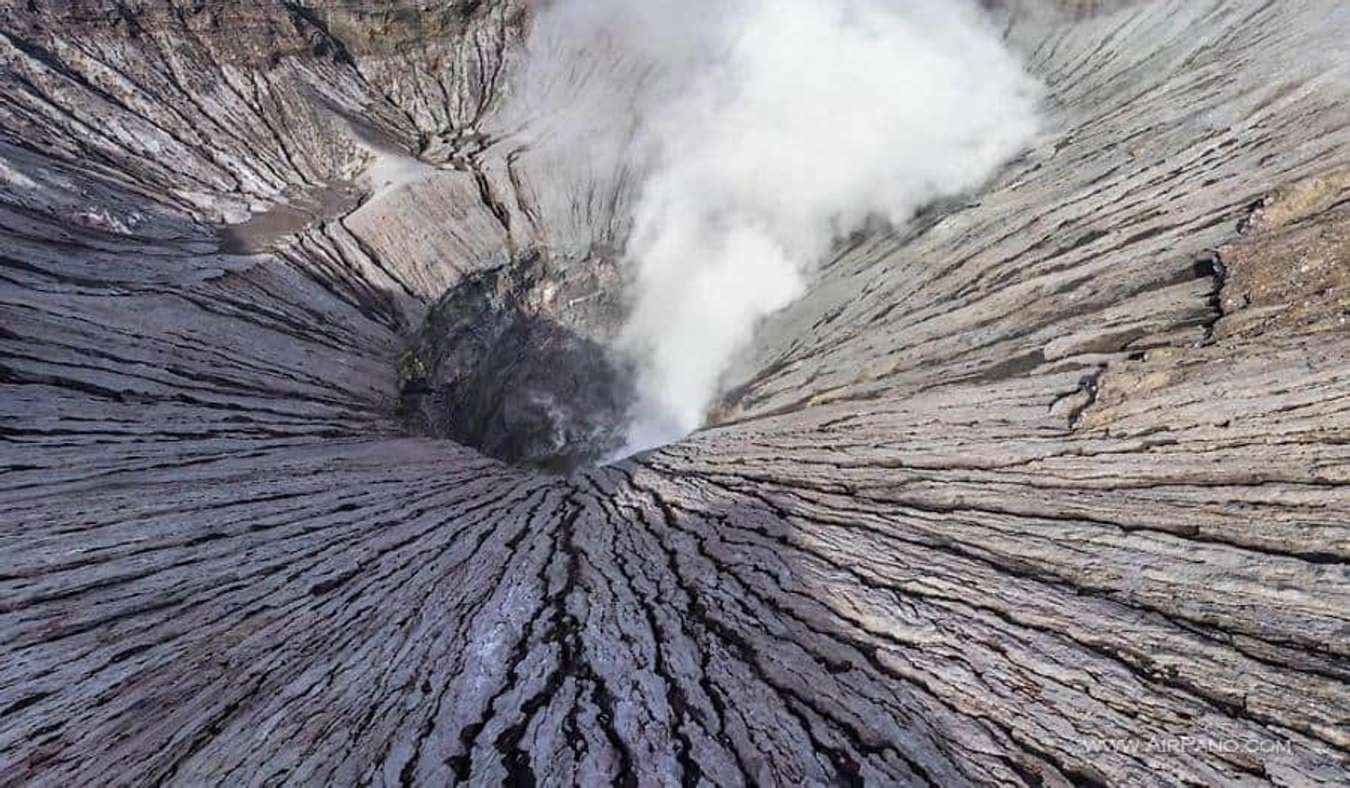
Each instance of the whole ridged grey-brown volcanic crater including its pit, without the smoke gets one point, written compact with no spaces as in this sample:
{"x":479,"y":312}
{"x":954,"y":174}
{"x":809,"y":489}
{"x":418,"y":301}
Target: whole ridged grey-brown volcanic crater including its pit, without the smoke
{"x":310,"y":404}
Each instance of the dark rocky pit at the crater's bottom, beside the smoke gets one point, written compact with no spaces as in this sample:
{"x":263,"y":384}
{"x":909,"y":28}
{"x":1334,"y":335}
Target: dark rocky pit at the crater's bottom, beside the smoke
{"x":516,"y":362}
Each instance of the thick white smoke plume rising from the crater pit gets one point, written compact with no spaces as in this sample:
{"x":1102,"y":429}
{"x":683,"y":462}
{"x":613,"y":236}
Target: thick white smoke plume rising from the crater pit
{"x":759,"y":133}
